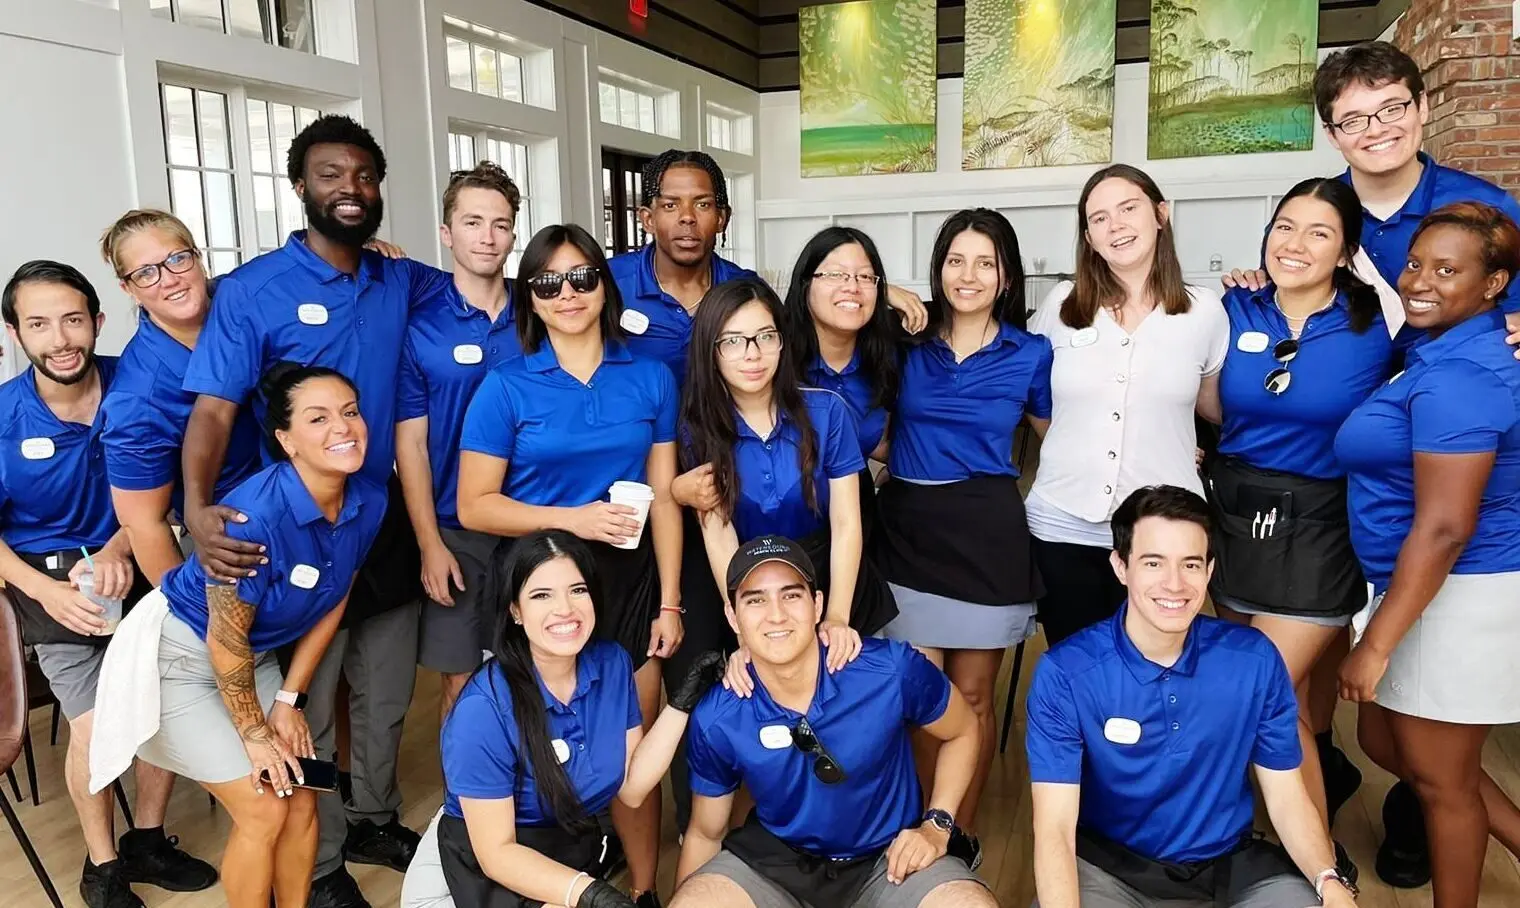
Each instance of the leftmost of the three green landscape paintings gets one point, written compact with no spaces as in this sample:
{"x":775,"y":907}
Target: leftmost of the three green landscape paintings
{"x":869,"y":87}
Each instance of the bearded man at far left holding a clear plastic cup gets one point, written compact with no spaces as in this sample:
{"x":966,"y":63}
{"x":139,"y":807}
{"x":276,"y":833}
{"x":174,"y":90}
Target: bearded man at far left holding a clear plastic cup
{"x":55,"y":500}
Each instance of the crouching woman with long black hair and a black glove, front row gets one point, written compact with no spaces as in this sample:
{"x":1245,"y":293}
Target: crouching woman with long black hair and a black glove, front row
{"x":545,"y":737}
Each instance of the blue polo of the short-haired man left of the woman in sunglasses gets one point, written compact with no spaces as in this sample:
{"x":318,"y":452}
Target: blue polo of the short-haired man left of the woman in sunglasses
{"x":451,"y":348}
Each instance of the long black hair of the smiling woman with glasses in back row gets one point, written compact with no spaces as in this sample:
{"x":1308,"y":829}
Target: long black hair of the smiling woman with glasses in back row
{"x":876,"y":343}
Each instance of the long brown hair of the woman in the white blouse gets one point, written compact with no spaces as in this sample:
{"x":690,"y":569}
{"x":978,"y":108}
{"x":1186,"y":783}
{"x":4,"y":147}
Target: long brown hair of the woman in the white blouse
{"x":1097,"y":285}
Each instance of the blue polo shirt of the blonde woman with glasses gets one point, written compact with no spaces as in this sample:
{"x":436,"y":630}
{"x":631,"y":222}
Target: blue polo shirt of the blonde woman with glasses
{"x":147,"y":414}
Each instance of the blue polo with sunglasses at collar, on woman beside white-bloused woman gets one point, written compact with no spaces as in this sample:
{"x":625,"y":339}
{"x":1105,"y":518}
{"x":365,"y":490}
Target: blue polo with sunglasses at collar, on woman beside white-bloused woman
{"x":1335,"y":372}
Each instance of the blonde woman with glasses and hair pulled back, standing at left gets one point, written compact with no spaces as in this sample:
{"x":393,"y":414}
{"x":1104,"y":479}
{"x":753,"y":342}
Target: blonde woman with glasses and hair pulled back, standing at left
{"x":147,"y":410}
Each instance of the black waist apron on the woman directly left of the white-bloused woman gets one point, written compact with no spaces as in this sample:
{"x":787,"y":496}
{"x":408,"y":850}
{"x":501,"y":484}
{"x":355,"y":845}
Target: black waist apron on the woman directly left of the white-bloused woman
{"x":964,"y":541}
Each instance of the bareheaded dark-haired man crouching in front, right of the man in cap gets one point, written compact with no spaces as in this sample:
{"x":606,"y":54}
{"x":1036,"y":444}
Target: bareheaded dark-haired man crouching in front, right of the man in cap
{"x":1144,"y":735}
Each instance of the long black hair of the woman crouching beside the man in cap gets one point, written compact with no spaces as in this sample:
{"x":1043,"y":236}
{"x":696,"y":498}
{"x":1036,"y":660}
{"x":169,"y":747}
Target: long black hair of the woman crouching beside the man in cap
{"x":557,"y":796}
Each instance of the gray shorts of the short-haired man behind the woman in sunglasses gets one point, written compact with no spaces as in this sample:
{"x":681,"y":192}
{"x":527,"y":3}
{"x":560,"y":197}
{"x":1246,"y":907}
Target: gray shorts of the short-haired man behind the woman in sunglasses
{"x":454,"y":637}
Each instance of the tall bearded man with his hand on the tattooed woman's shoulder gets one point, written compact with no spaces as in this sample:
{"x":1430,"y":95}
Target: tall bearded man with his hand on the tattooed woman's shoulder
{"x":326,"y":300}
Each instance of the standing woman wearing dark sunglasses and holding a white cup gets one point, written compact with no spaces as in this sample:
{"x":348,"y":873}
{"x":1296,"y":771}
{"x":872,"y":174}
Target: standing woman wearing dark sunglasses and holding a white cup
{"x":545,"y":440}
